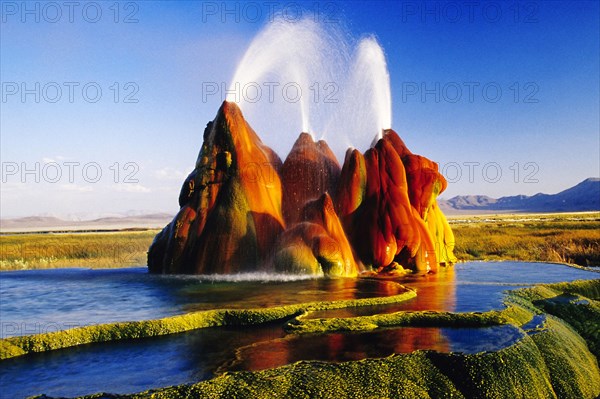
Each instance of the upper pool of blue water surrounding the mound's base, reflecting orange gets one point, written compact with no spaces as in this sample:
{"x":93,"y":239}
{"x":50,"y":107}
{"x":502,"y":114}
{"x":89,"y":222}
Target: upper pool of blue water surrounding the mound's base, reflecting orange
{"x":47,"y":300}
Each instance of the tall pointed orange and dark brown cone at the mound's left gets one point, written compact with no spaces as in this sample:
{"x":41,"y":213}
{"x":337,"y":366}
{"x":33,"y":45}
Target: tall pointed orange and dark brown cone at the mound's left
{"x":230,"y":204}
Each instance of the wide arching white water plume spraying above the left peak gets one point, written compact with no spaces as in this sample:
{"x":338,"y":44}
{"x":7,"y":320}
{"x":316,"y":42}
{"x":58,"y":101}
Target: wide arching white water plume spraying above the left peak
{"x":282,"y":65}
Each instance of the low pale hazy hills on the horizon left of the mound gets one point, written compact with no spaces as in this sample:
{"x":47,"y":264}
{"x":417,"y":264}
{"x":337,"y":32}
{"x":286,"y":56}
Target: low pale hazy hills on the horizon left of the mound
{"x":51,"y":223}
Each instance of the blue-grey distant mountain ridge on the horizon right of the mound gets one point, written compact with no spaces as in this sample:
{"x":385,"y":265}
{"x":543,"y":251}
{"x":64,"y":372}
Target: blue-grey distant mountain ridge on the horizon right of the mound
{"x":585,"y":196}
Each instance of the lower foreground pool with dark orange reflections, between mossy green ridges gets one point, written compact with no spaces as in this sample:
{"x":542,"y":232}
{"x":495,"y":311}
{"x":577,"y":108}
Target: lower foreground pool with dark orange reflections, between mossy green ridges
{"x":132,"y":366}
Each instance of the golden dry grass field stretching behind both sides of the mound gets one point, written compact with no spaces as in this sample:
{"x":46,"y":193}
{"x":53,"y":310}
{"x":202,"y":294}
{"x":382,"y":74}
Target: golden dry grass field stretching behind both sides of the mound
{"x":565,"y":238}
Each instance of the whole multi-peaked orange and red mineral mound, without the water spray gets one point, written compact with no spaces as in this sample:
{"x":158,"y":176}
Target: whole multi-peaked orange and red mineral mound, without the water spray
{"x":243,"y":210}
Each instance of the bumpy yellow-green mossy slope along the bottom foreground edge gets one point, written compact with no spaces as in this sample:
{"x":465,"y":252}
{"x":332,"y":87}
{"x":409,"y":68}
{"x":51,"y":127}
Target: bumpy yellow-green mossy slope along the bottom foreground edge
{"x":550,"y":364}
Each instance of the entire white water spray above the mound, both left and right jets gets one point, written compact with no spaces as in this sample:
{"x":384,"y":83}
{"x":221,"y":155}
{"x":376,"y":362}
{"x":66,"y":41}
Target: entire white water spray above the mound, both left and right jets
{"x":314,"y":78}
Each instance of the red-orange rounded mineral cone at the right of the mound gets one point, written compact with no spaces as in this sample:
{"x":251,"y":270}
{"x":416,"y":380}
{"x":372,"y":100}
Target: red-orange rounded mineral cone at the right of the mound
{"x":384,"y":198}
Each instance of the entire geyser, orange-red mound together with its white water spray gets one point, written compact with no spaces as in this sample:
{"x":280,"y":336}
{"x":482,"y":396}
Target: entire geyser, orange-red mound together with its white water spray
{"x":243,"y":209}
